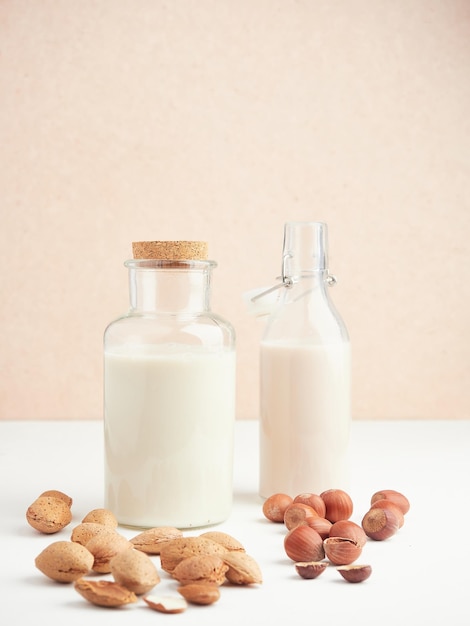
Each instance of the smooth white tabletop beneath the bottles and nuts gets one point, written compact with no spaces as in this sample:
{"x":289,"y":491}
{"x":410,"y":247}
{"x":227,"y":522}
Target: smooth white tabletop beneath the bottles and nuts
{"x":421,"y":576}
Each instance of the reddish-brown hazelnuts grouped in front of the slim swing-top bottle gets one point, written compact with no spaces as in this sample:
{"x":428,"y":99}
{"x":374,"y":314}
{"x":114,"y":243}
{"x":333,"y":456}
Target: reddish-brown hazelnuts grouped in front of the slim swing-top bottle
{"x":319,"y":527}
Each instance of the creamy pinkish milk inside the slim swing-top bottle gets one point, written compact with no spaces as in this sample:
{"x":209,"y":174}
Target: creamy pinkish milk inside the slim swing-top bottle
{"x":305,"y":417}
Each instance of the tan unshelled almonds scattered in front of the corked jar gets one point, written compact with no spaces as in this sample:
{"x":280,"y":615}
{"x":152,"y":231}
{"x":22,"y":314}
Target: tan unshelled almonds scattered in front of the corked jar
{"x":200,"y":564}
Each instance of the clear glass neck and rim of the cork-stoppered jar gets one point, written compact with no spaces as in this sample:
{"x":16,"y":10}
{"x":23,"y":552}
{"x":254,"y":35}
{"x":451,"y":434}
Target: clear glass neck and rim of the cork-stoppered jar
{"x":169,"y":287}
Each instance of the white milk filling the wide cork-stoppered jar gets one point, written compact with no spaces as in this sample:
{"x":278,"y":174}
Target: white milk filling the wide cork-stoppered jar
{"x":169,"y":419}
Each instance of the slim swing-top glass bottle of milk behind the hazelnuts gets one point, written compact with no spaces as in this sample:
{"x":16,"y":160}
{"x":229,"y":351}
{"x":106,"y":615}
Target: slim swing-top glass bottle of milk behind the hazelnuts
{"x":305,"y":375}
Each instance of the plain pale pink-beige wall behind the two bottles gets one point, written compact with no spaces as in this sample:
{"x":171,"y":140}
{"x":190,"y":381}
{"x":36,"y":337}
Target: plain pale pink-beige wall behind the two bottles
{"x":126,"y":120}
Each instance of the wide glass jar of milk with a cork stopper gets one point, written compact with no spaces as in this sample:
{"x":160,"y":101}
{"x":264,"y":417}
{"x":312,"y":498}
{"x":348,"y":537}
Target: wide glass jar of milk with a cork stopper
{"x":169,"y":394}
